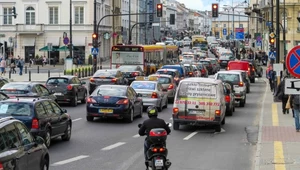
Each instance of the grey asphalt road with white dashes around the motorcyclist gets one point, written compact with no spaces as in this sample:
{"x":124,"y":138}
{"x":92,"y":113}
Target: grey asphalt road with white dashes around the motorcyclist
{"x":115,"y":145}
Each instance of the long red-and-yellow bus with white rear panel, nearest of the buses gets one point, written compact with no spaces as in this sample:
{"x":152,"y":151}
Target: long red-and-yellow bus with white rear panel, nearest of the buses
{"x":148,"y":57}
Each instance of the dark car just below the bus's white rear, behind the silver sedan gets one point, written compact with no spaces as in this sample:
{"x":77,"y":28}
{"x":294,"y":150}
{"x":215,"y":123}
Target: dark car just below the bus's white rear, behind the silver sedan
{"x":131,"y":72}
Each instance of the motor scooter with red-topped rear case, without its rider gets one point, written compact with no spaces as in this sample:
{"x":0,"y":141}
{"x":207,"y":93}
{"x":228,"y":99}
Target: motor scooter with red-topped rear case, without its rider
{"x":158,"y":152}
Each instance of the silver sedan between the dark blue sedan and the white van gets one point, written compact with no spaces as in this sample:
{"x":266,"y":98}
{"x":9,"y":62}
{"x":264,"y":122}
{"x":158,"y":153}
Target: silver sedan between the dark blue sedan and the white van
{"x":152,"y":92}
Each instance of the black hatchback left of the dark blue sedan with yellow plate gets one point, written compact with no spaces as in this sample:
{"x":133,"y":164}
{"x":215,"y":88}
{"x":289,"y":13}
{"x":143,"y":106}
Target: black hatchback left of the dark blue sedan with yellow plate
{"x":67,"y":89}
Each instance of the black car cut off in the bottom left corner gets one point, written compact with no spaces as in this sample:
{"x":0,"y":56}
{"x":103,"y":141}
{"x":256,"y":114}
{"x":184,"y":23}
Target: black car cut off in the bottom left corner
{"x":19,"y":149}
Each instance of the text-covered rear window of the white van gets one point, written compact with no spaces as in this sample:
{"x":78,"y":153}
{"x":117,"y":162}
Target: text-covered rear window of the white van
{"x":197,"y":90}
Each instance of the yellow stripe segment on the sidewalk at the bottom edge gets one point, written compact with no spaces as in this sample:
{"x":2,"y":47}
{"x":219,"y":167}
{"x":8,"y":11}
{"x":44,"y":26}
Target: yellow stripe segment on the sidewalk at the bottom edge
{"x":278,"y":156}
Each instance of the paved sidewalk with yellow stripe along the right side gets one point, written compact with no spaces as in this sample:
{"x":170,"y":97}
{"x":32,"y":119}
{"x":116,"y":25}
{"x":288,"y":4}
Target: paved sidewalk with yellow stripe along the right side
{"x":278,"y":142}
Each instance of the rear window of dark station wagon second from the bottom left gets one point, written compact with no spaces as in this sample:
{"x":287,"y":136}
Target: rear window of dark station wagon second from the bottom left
{"x":15,"y":109}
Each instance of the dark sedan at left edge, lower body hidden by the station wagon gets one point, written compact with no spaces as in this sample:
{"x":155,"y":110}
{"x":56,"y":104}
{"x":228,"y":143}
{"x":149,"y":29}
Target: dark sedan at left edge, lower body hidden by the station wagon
{"x":27,"y":89}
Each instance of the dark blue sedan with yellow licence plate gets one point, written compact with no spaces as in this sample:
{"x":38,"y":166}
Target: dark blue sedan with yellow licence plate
{"x":114,"y":101}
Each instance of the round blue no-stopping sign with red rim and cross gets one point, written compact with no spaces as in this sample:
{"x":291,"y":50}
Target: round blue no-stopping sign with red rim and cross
{"x":293,"y":61}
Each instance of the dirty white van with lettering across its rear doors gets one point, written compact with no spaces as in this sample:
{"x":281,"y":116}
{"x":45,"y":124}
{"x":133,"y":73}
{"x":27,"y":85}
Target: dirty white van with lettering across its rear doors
{"x":199,"y":101}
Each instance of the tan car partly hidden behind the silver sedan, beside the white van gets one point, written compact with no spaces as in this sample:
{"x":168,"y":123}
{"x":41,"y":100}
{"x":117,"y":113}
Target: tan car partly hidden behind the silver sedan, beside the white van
{"x":168,"y":83}
